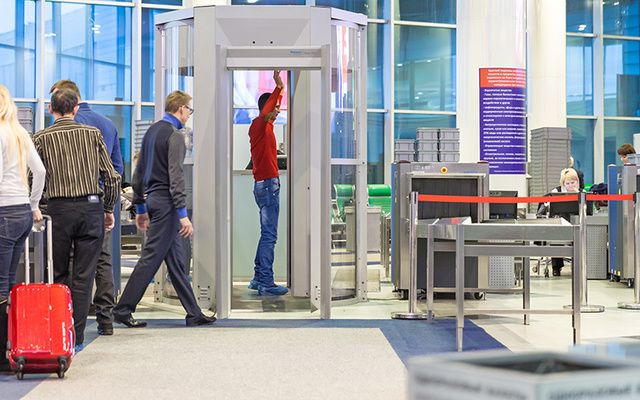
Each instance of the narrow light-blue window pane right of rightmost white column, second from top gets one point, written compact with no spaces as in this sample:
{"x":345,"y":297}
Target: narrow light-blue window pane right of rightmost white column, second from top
{"x":579,"y":76}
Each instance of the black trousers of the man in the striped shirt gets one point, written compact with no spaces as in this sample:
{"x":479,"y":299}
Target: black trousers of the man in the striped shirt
{"x":77,"y":223}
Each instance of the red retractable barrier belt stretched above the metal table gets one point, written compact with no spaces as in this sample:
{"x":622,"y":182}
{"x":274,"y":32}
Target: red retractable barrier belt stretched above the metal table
{"x":440,"y":198}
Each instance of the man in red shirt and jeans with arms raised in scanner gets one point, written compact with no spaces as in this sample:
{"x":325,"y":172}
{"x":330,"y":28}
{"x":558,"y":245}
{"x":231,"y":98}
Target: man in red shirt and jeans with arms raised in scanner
{"x":266,"y":188}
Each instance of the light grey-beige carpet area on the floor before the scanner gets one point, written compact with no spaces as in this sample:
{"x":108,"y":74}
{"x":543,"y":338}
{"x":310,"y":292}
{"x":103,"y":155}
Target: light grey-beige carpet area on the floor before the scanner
{"x":227,"y":363}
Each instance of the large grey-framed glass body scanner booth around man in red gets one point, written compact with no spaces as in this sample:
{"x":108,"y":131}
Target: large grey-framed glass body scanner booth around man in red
{"x":323,"y":51}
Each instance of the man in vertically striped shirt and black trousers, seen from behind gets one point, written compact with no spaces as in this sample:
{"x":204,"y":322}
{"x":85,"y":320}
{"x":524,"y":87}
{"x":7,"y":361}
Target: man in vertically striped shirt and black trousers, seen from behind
{"x":75,"y":158}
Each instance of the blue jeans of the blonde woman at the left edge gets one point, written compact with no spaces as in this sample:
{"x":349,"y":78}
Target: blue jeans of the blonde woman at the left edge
{"x":15,"y":225}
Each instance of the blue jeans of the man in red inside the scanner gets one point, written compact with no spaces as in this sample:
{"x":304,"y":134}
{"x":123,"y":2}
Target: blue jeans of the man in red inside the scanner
{"x":267,"y":195}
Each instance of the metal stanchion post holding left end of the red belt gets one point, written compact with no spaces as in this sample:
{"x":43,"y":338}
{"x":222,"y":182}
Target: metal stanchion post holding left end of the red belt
{"x":413,"y":263}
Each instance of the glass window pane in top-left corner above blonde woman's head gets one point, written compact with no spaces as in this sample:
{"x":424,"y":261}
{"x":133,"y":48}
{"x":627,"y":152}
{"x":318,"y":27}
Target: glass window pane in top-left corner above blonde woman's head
{"x":17,"y":48}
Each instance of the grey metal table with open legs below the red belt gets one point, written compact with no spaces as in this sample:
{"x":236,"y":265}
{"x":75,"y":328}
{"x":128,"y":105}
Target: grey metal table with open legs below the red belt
{"x":465,"y":238}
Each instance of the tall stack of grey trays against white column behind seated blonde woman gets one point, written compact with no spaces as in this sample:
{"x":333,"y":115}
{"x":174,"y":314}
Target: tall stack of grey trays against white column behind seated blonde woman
{"x":550,"y":151}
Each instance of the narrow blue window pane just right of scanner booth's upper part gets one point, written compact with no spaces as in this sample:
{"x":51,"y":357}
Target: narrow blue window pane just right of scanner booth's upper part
{"x":375,"y":65}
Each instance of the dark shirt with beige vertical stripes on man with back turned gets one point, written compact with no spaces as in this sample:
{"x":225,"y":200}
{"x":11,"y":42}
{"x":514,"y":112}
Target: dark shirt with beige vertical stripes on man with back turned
{"x":75,"y":157}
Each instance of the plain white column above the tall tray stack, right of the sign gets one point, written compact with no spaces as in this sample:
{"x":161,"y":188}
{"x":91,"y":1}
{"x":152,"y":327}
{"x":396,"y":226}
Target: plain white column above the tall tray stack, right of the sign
{"x":547,"y":63}
